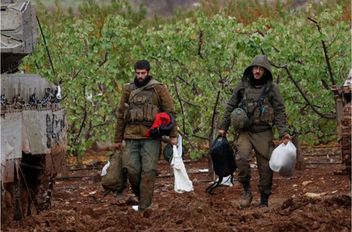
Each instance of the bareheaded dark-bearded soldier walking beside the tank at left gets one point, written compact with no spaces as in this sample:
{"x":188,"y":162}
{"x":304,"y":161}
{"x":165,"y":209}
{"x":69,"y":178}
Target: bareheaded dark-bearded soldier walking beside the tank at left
{"x":141,"y":101}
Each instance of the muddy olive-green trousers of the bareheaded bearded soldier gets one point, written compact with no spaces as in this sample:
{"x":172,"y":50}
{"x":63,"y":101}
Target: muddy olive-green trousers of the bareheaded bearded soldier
{"x":140,"y":158}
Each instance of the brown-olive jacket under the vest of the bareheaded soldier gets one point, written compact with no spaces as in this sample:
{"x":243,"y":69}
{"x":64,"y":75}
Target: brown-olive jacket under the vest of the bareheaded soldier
{"x":161,"y":95}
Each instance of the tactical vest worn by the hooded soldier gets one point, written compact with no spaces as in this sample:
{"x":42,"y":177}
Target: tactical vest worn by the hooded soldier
{"x":257,"y":104}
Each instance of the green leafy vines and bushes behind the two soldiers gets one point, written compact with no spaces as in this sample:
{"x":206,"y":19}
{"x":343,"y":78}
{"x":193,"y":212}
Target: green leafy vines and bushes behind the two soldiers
{"x":196,"y":54}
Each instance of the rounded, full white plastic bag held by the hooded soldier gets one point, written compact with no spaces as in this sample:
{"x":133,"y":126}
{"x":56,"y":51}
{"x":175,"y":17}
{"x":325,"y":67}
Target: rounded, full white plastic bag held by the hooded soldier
{"x":283,"y":159}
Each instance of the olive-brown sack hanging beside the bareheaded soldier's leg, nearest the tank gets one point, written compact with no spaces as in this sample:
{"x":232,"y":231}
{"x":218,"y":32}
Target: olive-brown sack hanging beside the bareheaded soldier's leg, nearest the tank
{"x":115,"y":178}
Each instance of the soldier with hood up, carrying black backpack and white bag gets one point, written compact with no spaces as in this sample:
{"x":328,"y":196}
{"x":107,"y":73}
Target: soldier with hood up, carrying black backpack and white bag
{"x":263,"y":107}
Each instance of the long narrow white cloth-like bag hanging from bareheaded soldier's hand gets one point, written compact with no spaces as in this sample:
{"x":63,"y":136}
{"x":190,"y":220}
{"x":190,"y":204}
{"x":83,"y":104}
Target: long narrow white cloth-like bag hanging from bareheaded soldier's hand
{"x":182,"y":182}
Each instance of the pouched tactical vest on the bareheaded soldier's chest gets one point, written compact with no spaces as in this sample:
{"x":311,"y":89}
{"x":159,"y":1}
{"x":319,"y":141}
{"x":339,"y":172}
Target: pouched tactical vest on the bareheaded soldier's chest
{"x":143,"y":105}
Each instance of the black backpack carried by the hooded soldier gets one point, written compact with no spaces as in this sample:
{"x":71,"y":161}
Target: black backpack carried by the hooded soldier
{"x":223,"y":158}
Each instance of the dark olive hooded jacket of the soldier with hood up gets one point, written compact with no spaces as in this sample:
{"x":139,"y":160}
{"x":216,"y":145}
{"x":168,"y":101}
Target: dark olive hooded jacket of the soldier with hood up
{"x":274,"y":96}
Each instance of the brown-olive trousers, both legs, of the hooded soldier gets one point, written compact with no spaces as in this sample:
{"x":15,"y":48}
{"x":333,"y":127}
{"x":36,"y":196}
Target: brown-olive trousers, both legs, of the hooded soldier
{"x":263,"y":146}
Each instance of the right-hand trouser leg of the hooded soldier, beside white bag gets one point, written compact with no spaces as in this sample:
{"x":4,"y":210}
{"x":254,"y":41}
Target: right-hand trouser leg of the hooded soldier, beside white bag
{"x":263,"y":145}
